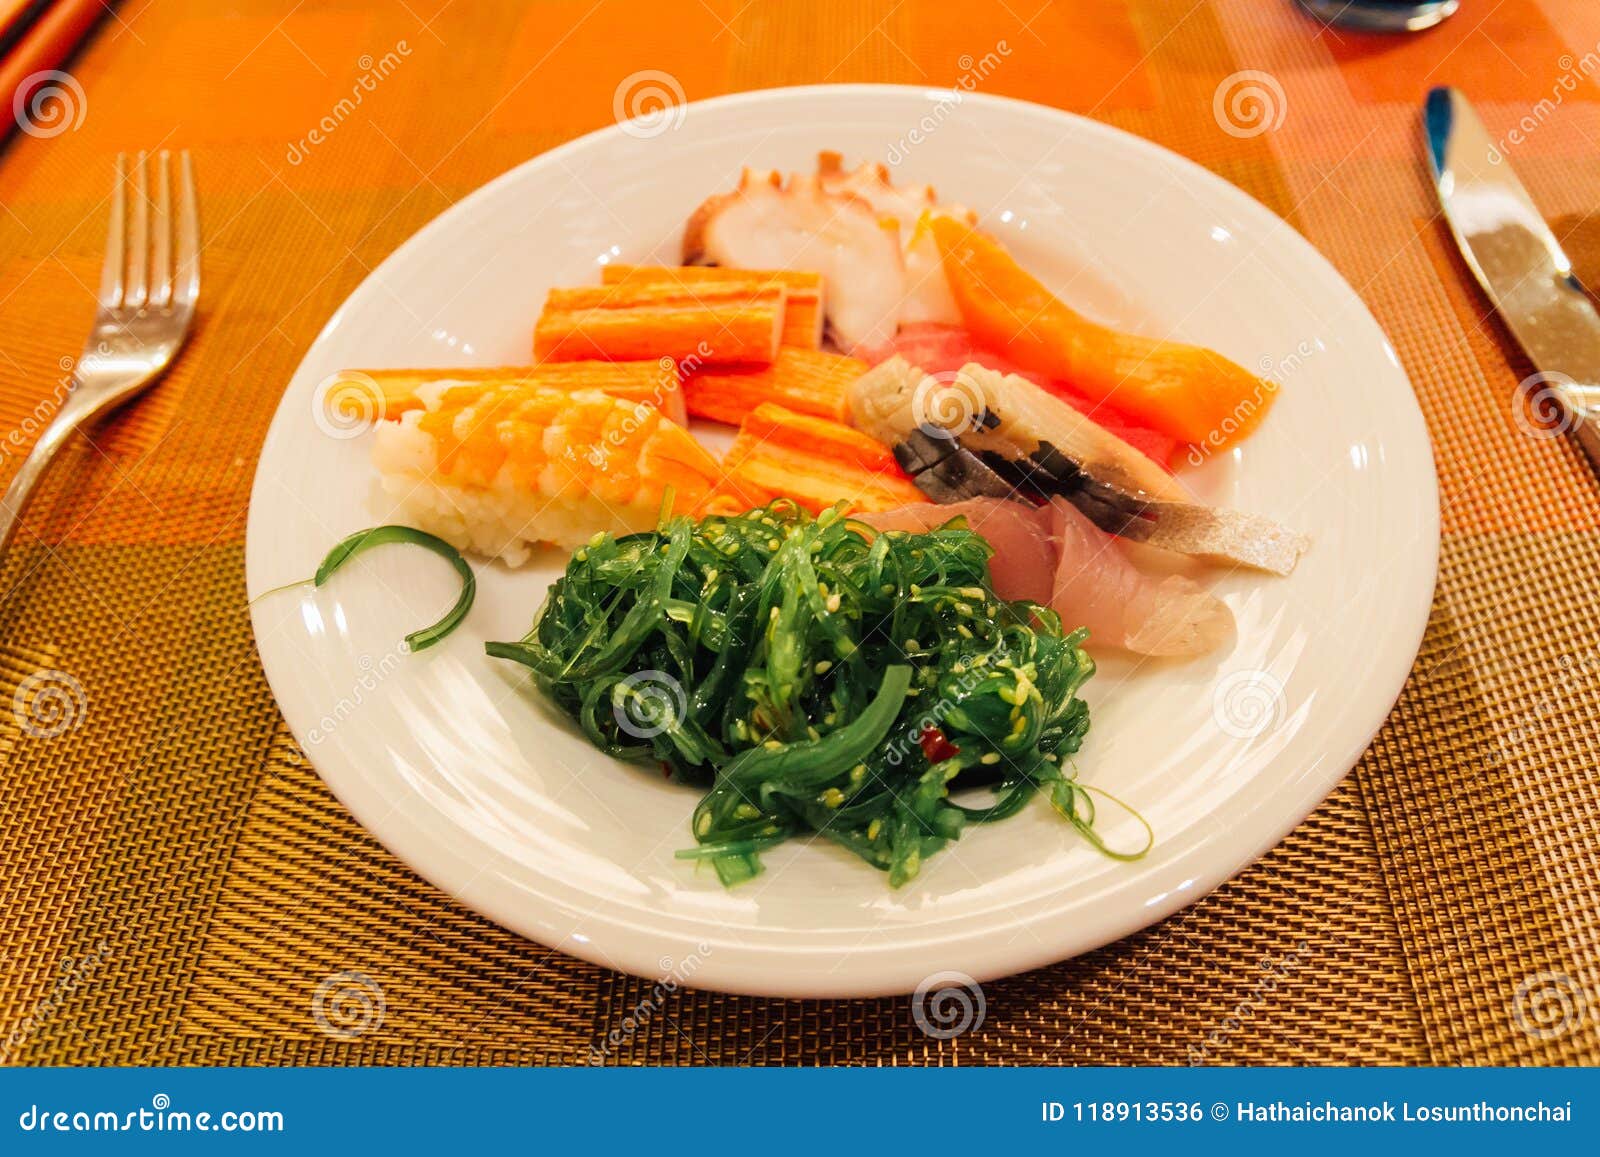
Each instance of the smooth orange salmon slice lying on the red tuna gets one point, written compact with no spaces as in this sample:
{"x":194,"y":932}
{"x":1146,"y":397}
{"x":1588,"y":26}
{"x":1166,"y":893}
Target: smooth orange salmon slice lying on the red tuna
{"x":1183,"y":391}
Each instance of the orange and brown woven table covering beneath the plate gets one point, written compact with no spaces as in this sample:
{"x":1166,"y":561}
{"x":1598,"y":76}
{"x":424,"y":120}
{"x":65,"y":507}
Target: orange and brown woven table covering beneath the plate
{"x":178,"y":884}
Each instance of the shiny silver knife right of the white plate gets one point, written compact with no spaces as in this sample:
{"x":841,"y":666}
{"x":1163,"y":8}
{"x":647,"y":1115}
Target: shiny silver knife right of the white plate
{"x":1519,"y":263}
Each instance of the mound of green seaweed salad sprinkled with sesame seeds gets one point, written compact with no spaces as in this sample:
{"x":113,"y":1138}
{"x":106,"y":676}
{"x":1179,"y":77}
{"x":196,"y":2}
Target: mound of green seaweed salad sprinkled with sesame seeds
{"x":815,"y":678}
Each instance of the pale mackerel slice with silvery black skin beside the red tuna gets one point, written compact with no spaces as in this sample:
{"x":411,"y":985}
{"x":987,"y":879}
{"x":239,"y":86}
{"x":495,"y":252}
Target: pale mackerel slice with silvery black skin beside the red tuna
{"x":1001,"y":436}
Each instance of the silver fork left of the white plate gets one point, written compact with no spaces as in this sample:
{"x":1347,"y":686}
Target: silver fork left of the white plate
{"x":146,"y":303}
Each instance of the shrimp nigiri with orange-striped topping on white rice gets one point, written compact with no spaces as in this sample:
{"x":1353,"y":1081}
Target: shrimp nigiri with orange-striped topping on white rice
{"x":500,"y":468}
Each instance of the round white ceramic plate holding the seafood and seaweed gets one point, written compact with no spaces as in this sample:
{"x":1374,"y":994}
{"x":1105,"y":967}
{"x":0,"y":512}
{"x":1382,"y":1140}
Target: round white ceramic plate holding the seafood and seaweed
{"x":484,"y":791}
